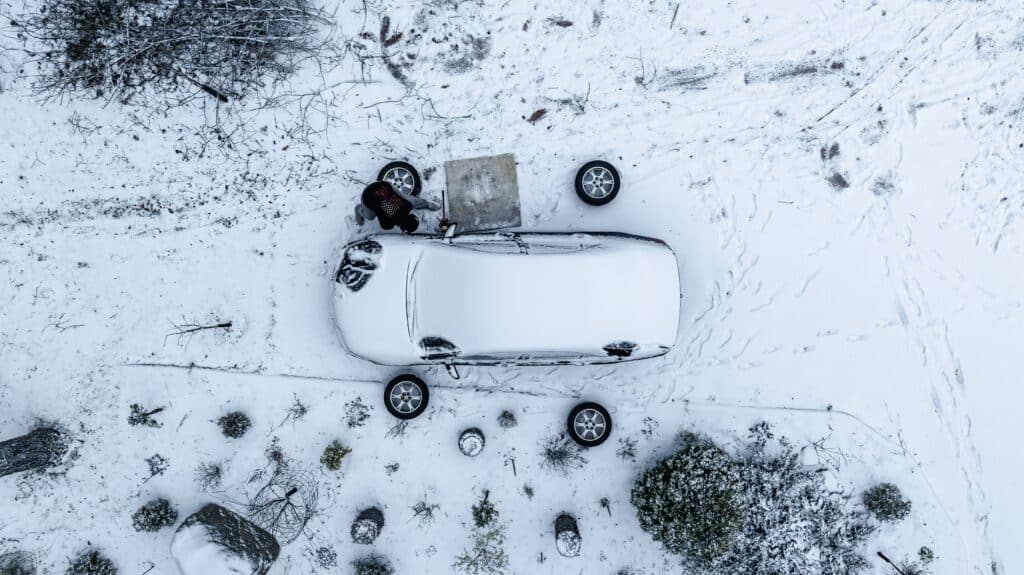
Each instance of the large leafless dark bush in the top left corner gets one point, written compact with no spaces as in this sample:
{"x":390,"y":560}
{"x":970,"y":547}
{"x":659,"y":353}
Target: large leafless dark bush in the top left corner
{"x":122,"y":49}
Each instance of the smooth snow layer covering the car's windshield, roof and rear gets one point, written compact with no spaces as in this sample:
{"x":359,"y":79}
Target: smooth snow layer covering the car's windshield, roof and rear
{"x":492,"y":303}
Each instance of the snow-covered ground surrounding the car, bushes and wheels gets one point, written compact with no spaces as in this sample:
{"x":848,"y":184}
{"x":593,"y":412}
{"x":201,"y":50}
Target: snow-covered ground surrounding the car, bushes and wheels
{"x":840,"y":181}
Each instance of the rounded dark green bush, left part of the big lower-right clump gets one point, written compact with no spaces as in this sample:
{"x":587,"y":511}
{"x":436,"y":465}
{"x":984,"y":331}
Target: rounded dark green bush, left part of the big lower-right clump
{"x":692,"y":502}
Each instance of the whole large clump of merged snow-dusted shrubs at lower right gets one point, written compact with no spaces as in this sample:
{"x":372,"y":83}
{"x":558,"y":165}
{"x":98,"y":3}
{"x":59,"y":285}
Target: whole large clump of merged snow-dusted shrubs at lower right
{"x":763,"y":512}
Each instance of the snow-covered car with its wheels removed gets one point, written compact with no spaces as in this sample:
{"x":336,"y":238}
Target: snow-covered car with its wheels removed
{"x":523,"y":299}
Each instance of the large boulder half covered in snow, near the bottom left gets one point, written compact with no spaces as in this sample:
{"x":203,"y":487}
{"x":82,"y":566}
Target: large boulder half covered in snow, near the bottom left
{"x":216,"y":541}
